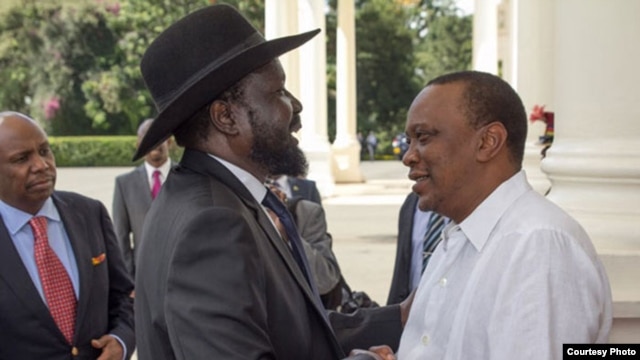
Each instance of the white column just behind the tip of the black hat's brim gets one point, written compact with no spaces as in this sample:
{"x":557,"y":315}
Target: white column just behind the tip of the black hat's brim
{"x":313,"y":94}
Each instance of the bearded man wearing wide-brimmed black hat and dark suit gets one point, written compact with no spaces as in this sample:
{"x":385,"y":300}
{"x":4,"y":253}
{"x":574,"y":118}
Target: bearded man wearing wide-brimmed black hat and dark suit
{"x":219,"y":275}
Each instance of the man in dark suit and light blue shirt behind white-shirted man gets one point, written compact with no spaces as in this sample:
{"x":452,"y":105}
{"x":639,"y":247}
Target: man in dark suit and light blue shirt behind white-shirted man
{"x":413,"y":225}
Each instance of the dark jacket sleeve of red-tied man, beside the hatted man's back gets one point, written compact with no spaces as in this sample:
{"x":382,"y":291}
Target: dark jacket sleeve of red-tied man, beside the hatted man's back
{"x":120,"y":288}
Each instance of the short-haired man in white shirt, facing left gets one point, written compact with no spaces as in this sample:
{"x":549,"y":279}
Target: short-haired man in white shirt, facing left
{"x":515,"y":276}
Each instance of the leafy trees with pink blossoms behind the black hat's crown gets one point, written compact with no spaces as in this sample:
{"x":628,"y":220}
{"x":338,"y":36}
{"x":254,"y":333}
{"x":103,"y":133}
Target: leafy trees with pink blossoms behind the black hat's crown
{"x":77,"y":65}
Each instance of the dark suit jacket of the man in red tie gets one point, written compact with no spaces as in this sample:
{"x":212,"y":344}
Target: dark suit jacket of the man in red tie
{"x":27,"y":330}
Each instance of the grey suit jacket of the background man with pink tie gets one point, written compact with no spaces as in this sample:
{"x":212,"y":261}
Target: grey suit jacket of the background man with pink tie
{"x":131,"y":201}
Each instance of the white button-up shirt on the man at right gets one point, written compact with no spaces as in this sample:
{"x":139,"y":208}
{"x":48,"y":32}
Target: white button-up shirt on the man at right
{"x":515,"y":280}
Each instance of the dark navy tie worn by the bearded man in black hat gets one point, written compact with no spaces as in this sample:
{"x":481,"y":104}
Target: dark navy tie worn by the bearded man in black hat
{"x":272,"y":202}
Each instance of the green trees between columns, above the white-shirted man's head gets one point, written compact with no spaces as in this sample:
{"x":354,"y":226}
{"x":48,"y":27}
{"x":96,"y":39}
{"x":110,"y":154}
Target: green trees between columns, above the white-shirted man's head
{"x":399,"y":45}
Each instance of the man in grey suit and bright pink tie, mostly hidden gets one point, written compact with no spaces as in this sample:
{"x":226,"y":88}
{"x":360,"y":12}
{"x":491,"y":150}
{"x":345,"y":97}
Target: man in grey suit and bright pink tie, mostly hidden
{"x":133,"y":194}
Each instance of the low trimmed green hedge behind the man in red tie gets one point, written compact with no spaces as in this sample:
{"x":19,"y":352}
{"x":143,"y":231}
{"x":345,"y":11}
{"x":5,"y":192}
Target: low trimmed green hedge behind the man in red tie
{"x":98,"y":150}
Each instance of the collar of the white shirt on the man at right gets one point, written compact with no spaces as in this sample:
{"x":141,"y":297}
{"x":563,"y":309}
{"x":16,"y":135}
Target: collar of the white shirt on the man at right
{"x":478,"y":226}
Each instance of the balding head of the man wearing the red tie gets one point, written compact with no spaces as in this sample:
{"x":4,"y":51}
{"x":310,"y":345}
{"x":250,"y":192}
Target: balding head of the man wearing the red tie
{"x":27,"y":165}
